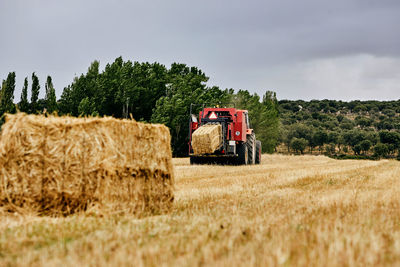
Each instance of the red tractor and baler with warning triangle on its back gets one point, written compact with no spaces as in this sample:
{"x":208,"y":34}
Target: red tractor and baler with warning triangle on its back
{"x":238,"y":144}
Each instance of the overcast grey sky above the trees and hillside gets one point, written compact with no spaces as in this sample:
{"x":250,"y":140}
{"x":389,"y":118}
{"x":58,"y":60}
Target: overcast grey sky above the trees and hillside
{"x":309,"y":49}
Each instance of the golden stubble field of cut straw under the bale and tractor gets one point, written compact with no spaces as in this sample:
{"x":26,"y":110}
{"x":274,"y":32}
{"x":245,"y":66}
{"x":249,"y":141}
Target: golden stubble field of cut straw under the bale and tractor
{"x":290,"y":210}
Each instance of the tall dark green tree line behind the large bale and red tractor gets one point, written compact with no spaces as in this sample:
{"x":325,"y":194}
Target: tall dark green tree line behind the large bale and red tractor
{"x":149,"y":92}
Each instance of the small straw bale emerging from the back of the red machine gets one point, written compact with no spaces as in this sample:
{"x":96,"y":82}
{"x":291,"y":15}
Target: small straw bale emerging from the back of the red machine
{"x":207,"y":139}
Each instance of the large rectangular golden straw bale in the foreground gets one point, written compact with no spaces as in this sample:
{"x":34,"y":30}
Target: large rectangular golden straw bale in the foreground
{"x":62,"y":165}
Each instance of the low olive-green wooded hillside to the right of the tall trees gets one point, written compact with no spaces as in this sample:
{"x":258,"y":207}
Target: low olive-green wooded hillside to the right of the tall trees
{"x":358,"y":128}
